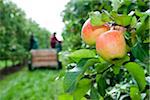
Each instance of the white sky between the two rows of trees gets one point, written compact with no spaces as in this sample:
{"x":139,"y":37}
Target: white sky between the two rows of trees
{"x":45,"y":12}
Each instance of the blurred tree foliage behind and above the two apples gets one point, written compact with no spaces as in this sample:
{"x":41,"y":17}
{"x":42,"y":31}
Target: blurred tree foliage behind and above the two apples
{"x":77,"y":11}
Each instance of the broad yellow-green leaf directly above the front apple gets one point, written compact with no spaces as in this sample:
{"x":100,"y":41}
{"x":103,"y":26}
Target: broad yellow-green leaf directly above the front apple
{"x":123,"y":20}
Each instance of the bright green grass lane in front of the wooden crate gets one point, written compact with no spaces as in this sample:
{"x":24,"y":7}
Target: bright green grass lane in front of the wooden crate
{"x":36,"y":85}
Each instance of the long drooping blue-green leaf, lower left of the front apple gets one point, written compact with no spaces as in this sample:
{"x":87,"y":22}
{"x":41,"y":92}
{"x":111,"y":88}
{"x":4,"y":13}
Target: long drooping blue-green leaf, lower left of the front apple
{"x":71,"y":78}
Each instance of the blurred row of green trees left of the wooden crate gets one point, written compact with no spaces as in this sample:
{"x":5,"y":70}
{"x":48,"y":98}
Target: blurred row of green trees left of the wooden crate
{"x":15,"y":31}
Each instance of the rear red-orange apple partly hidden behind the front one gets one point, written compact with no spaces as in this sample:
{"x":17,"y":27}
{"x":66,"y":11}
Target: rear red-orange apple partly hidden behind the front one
{"x":89,"y":33}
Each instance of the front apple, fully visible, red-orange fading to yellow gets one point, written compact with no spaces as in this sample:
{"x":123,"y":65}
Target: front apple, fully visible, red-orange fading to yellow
{"x":111,"y":45}
